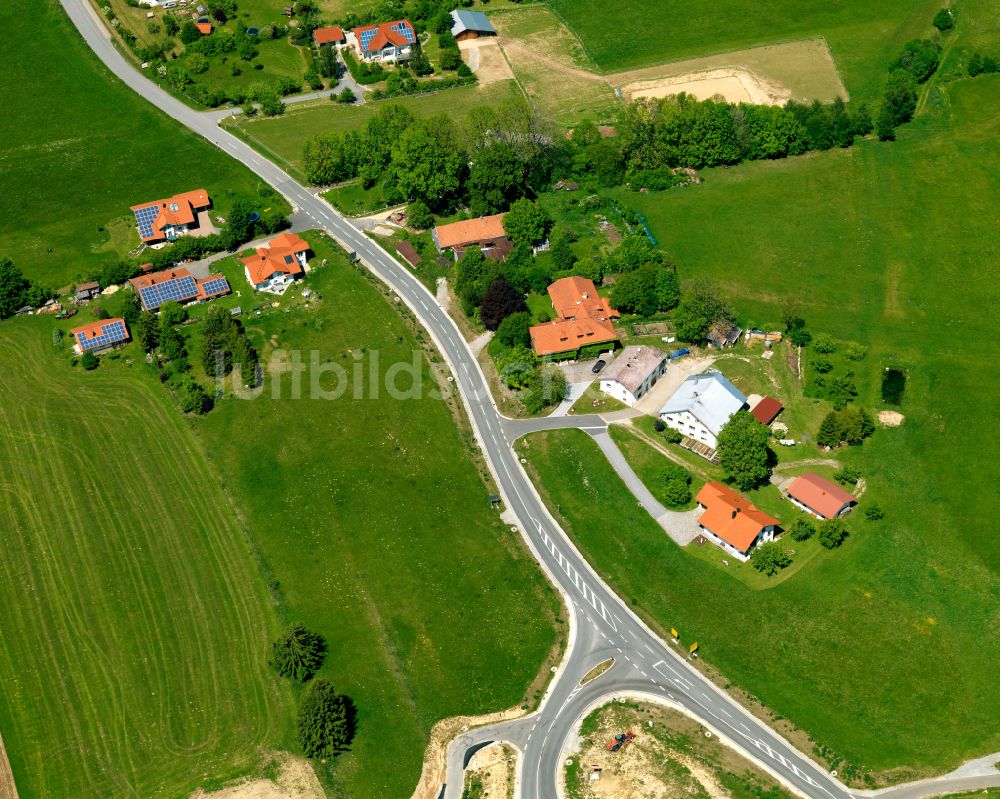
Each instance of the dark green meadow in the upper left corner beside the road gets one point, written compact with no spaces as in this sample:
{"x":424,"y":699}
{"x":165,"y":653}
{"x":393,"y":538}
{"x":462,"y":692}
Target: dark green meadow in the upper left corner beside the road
{"x":69,"y":167}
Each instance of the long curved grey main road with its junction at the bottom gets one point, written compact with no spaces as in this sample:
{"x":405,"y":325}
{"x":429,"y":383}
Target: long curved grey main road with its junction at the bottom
{"x":601,"y":625}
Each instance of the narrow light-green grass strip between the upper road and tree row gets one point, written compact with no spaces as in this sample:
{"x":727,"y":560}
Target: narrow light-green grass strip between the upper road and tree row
{"x":282,"y":138}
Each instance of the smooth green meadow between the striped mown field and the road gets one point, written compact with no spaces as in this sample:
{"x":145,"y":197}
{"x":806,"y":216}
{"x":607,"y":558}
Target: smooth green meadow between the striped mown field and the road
{"x":370,"y":514}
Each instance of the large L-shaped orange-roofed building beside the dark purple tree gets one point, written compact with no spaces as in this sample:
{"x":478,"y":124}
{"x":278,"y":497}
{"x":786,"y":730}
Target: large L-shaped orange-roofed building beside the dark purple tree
{"x":583,"y":319}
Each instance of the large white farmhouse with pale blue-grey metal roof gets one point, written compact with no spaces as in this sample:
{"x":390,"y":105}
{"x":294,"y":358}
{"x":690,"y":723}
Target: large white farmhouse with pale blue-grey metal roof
{"x":701,"y":406}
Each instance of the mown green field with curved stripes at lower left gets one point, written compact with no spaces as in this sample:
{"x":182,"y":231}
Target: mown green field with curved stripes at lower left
{"x":134,"y":619}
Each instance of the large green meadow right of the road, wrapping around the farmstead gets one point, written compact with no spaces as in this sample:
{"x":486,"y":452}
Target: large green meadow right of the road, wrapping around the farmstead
{"x":899,"y":267}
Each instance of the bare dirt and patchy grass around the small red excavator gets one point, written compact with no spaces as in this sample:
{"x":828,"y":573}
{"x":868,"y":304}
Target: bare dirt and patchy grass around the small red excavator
{"x":670,"y":756}
